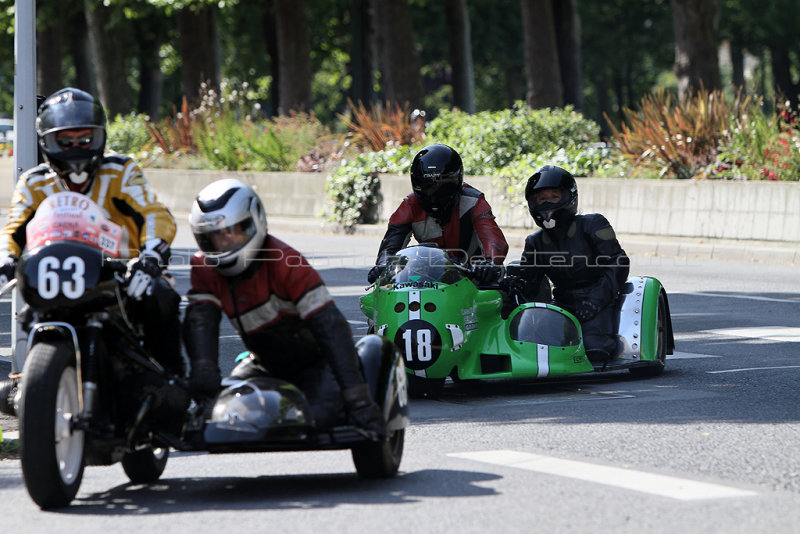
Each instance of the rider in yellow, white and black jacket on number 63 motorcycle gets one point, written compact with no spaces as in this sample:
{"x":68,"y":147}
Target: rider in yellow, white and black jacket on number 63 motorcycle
{"x":71,"y":129}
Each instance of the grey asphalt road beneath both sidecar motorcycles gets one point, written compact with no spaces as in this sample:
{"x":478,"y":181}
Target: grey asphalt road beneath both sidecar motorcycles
{"x":708,"y":447}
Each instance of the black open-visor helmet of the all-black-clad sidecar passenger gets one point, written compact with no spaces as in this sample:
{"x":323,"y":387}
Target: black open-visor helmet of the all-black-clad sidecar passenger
{"x":547,"y":214}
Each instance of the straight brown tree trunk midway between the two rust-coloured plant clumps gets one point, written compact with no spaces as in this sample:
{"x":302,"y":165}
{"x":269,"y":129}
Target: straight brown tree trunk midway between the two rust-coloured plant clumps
{"x":294,"y":56}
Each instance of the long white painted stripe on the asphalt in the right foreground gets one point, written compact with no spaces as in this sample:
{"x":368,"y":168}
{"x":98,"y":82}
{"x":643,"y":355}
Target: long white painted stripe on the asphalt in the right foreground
{"x":666,"y":486}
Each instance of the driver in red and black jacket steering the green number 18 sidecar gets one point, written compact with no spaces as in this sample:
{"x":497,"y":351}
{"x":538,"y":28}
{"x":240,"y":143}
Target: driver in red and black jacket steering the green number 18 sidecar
{"x":445,"y":211}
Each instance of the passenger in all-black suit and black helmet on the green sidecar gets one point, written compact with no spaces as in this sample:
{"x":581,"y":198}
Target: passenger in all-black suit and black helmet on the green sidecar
{"x":580,"y":254}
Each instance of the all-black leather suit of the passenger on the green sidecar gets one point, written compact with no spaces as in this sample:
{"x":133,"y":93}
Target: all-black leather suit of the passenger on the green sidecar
{"x":588,"y":267}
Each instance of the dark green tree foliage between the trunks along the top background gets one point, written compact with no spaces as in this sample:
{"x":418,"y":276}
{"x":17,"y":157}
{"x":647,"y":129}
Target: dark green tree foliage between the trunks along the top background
{"x":627,"y":51}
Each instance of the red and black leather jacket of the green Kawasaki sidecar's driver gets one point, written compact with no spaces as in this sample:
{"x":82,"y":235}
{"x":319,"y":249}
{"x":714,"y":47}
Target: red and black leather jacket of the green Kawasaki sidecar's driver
{"x":470,"y":232}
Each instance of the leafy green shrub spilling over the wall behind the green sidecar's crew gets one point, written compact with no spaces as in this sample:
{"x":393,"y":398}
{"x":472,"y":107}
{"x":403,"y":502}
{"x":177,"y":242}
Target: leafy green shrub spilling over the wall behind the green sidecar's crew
{"x":509,"y":144}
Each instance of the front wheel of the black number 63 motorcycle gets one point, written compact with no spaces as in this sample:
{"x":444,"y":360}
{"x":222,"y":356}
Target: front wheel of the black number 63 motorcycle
{"x":51,"y":449}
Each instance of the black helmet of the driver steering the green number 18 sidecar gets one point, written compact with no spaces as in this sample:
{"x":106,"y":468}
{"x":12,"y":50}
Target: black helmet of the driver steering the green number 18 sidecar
{"x":436,"y":178}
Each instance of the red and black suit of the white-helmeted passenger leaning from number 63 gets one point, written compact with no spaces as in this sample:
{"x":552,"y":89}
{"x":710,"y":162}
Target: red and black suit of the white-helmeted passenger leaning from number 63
{"x":285,"y":316}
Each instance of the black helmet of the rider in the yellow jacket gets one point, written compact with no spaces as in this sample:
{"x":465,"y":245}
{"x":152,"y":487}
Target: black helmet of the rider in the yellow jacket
{"x":72,"y":109}
